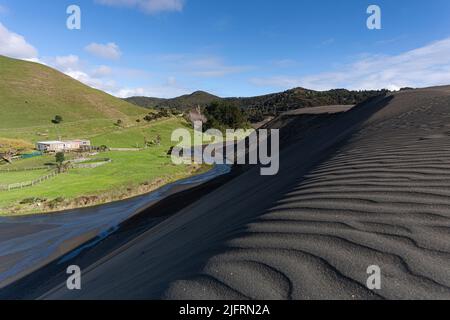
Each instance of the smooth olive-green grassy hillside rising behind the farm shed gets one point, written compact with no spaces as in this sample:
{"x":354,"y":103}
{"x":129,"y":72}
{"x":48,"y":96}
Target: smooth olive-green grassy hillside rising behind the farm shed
{"x":32,"y":94}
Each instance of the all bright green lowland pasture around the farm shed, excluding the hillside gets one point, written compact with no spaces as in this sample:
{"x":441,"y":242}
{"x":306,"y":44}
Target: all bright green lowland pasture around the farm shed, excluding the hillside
{"x":127,"y":171}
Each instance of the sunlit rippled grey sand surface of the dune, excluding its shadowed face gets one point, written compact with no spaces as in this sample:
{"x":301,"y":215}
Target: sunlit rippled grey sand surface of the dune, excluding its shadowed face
{"x":382,"y":199}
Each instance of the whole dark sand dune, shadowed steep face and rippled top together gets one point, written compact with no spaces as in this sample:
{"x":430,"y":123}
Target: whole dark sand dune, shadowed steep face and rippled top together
{"x":371,"y":188}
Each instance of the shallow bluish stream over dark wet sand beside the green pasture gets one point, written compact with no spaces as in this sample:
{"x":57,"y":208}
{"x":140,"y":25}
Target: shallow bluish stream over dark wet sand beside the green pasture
{"x":28,"y":243}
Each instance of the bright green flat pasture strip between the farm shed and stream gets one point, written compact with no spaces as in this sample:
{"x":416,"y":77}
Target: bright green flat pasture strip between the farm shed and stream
{"x":125,"y":171}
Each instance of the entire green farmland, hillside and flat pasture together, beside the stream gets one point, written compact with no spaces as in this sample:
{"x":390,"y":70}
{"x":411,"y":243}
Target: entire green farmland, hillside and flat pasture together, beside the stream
{"x":31,"y":95}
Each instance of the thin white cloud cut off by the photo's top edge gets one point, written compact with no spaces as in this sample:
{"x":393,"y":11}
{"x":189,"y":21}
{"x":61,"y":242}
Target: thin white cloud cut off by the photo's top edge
{"x":148,"y":6}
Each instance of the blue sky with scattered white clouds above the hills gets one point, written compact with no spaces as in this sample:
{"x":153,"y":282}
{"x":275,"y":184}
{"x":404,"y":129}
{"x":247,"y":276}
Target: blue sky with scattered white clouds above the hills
{"x":167,"y":48}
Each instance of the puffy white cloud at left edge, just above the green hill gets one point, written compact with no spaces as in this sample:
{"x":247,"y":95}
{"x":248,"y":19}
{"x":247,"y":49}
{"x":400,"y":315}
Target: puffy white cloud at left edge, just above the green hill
{"x":15,"y":46}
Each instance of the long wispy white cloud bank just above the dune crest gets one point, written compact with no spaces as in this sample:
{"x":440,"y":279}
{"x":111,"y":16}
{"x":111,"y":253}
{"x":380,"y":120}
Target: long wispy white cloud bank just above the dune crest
{"x":422,"y":67}
